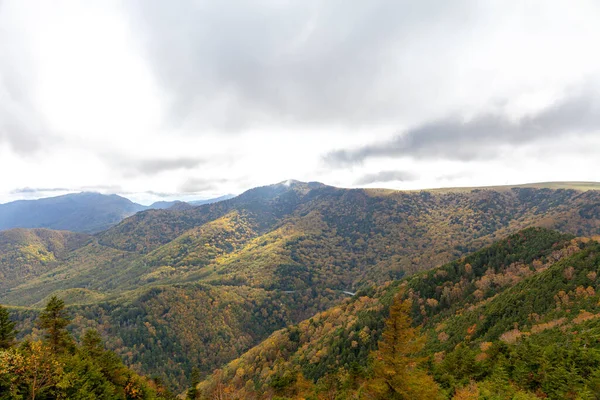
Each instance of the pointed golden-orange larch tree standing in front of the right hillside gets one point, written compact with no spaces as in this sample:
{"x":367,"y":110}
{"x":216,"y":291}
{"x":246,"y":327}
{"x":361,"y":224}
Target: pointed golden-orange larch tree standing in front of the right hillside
{"x":396,"y":374}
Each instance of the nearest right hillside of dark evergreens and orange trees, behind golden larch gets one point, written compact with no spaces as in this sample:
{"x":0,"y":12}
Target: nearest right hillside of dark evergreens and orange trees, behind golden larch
{"x":512,"y":319}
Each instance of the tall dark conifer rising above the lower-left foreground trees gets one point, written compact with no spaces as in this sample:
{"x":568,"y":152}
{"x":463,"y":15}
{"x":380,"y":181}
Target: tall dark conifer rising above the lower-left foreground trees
{"x":54,"y":320}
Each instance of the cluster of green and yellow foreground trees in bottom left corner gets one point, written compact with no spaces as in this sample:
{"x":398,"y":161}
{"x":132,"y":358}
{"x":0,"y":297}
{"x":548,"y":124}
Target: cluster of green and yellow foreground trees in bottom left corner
{"x":57,"y":367}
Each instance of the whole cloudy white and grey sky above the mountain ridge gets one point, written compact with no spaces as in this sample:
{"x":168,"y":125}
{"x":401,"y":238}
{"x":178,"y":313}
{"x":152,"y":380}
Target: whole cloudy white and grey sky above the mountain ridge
{"x":158,"y":100}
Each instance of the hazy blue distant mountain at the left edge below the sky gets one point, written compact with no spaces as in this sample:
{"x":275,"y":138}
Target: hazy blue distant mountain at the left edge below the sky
{"x":80,"y":212}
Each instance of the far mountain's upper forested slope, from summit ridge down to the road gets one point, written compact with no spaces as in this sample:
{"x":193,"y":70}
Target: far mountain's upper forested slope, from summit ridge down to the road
{"x":325,"y":237}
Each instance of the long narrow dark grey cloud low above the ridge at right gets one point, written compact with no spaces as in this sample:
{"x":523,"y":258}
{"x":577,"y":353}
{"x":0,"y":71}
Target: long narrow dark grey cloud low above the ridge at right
{"x":479,"y":137}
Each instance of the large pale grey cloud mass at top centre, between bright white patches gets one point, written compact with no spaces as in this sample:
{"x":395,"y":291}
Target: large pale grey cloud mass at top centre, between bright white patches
{"x":238,"y":64}
